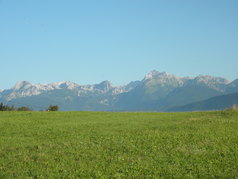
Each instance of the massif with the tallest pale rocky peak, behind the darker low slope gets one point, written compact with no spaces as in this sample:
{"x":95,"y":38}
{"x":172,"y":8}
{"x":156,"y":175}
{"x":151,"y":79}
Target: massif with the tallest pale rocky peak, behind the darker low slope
{"x":160,"y":91}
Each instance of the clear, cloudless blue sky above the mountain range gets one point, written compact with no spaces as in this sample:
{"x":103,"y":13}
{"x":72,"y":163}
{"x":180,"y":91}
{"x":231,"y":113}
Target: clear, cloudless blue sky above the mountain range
{"x":89,"y":41}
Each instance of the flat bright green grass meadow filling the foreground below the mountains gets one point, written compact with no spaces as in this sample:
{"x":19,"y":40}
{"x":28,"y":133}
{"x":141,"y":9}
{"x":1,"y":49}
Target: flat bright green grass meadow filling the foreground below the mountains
{"x":119,"y":145}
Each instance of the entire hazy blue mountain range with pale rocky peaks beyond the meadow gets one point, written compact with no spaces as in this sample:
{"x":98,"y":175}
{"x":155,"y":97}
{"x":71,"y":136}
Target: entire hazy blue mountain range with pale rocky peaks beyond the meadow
{"x":156,"y":92}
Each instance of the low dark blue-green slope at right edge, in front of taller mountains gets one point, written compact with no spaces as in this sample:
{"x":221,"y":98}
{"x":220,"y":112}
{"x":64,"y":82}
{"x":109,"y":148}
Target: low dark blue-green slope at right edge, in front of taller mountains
{"x":215,"y":103}
